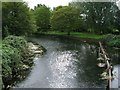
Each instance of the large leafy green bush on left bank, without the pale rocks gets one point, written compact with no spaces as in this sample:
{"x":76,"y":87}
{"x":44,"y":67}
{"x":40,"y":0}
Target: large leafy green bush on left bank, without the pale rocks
{"x":14,"y":51}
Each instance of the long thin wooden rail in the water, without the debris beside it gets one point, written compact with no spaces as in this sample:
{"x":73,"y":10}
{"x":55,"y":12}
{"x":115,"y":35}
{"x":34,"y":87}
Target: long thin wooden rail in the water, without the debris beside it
{"x":108,"y":65}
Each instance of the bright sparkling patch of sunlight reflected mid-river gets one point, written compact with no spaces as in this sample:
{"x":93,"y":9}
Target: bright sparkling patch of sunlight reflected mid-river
{"x":63,"y":70}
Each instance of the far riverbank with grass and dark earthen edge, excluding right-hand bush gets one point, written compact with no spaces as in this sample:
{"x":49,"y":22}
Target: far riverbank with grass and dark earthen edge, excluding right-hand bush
{"x":83,"y":37}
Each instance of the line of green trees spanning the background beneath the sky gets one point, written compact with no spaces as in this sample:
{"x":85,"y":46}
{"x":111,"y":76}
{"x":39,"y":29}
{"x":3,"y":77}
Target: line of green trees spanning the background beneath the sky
{"x":93,"y":17}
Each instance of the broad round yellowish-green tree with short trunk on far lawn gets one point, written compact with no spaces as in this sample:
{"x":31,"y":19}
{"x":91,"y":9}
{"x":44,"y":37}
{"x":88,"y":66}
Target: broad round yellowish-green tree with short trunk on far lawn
{"x":65,"y":19}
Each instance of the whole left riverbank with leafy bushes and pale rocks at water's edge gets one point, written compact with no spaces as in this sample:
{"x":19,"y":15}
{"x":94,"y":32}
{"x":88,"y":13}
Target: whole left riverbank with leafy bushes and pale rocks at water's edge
{"x":17,"y":59}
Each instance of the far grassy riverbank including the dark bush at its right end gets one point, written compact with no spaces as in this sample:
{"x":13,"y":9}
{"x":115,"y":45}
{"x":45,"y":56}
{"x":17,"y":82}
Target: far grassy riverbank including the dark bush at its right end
{"x":109,"y":40}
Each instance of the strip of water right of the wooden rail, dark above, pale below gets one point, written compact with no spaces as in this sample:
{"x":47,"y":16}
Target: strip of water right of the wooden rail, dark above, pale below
{"x":115,"y":56}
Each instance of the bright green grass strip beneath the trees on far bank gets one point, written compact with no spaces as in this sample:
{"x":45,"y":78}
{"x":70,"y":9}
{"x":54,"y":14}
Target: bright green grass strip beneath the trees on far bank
{"x":79,"y":35}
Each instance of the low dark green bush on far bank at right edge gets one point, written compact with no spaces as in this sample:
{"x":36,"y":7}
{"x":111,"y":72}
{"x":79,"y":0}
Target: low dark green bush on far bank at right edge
{"x":113,"y":40}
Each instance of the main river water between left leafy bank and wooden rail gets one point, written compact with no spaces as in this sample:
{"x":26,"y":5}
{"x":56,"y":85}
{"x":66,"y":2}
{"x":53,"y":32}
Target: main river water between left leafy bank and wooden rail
{"x":66,"y":64}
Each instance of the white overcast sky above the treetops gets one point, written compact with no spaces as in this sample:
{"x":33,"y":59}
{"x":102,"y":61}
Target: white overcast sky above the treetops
{"x":49,"y":3}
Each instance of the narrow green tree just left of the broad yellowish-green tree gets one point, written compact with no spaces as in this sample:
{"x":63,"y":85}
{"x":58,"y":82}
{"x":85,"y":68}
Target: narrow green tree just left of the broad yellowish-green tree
{"x":42,"y":17}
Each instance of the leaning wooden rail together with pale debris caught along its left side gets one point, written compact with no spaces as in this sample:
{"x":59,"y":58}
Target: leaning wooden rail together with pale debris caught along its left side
{"x":105,"y":62}
